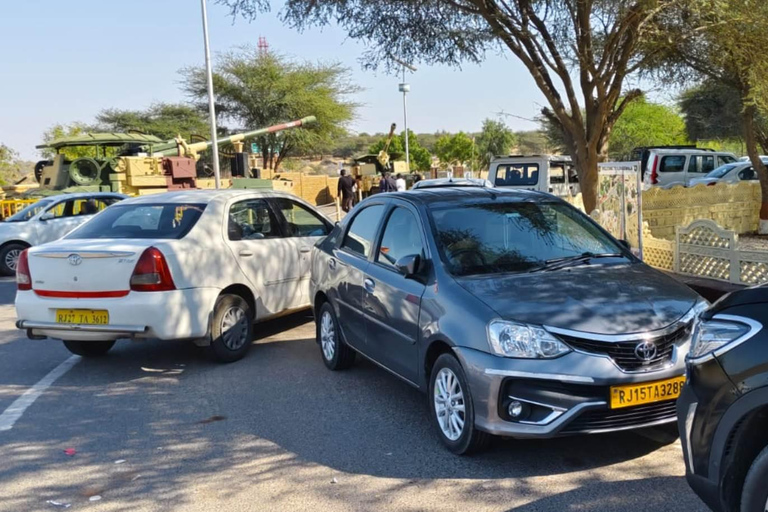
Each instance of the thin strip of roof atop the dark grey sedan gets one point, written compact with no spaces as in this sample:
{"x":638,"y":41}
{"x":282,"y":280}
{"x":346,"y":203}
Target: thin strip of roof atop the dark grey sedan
{"x":465,"y":195}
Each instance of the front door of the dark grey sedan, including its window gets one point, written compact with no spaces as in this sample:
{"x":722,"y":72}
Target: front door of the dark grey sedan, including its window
{"x":392,"y":301}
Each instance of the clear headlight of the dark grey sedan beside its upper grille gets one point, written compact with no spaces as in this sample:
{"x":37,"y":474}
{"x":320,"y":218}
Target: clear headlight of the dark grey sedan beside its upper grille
{"x":510,"y":339}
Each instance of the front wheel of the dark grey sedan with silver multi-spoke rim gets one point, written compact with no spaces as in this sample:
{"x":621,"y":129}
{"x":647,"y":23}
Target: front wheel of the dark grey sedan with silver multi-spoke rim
{"x":450,"y":394}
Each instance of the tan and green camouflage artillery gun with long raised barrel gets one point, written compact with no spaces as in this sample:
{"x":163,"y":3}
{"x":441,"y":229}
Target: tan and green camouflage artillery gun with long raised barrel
{"x":129,"y":162}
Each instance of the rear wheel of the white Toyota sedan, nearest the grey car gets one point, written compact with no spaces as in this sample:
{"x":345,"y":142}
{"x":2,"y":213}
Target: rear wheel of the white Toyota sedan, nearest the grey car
{"x":231,"y":329}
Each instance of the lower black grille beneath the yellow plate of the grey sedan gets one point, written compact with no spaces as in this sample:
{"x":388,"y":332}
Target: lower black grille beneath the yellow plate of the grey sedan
{"x":612,"y":419}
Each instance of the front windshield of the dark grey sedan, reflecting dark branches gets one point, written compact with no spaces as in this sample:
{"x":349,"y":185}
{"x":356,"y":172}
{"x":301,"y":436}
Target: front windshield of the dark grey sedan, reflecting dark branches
{"x":501,"y":237}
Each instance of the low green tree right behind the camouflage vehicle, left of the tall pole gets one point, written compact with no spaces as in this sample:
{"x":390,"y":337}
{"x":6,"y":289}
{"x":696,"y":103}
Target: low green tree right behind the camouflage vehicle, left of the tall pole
{"x":163,"y":120}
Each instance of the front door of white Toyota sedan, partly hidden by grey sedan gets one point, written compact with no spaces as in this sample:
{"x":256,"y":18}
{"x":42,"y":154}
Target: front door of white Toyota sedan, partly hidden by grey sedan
{"x":303,"y":228}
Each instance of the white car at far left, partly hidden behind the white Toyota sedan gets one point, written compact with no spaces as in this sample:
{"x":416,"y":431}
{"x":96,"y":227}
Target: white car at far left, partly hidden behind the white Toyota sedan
{"x":46,"y":220}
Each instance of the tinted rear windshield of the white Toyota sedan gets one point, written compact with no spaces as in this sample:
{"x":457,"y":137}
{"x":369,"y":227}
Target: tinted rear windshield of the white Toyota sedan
{"x":169,"y":221}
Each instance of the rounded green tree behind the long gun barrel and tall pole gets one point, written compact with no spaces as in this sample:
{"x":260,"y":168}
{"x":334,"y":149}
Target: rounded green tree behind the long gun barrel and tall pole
{"x":256,"y":89}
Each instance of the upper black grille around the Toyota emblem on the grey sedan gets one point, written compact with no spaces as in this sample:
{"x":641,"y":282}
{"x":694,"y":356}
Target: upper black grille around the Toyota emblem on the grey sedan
{"x":623,"y":352}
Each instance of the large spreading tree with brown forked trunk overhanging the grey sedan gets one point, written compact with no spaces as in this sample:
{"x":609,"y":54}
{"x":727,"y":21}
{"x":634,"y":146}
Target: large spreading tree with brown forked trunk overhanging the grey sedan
{"x":578,"y":52}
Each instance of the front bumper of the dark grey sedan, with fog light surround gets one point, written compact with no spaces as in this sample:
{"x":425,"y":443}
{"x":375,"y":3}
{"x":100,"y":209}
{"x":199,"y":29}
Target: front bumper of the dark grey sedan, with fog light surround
{"x":570,"y":394}
